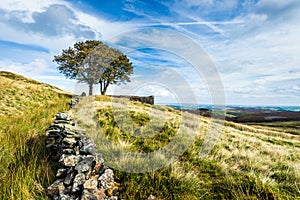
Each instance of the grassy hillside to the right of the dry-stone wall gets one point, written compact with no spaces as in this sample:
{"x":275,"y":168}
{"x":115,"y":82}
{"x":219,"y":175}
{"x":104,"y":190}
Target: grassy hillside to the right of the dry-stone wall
{"x":248,"y":162}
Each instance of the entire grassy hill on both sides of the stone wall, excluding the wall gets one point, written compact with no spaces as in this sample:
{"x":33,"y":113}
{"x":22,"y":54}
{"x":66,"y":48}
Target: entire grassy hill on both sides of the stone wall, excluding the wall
{"x":247,"y":161}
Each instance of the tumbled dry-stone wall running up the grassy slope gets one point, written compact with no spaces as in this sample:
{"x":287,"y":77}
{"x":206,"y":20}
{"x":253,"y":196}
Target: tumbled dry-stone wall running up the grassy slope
{"x":82,"y":173}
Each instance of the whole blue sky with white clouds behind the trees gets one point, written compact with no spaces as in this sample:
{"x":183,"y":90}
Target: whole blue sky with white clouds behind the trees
{"x":236,"y":52}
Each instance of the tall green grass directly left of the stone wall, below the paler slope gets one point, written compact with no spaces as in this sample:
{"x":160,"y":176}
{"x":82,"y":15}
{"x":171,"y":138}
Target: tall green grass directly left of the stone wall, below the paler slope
{"x":25,"y":166}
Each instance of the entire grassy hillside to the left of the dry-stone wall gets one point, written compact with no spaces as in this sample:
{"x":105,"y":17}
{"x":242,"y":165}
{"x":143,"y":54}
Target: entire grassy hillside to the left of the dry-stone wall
{"x":26,"y":110}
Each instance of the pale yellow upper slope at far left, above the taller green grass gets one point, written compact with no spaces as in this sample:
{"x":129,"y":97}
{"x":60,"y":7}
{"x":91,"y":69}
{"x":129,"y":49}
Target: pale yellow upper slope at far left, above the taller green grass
{"x":18,"y":93}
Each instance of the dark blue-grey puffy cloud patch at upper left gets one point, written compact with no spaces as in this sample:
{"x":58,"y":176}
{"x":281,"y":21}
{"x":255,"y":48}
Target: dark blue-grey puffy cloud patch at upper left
{"x":55,"y":21}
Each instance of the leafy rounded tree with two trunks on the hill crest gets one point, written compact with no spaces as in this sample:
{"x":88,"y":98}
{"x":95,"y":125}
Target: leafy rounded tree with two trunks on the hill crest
{"x":93,"y":62}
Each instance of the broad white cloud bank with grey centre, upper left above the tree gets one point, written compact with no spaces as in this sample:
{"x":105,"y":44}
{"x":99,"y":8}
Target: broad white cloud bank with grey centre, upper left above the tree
{"x":54,"y":24}
